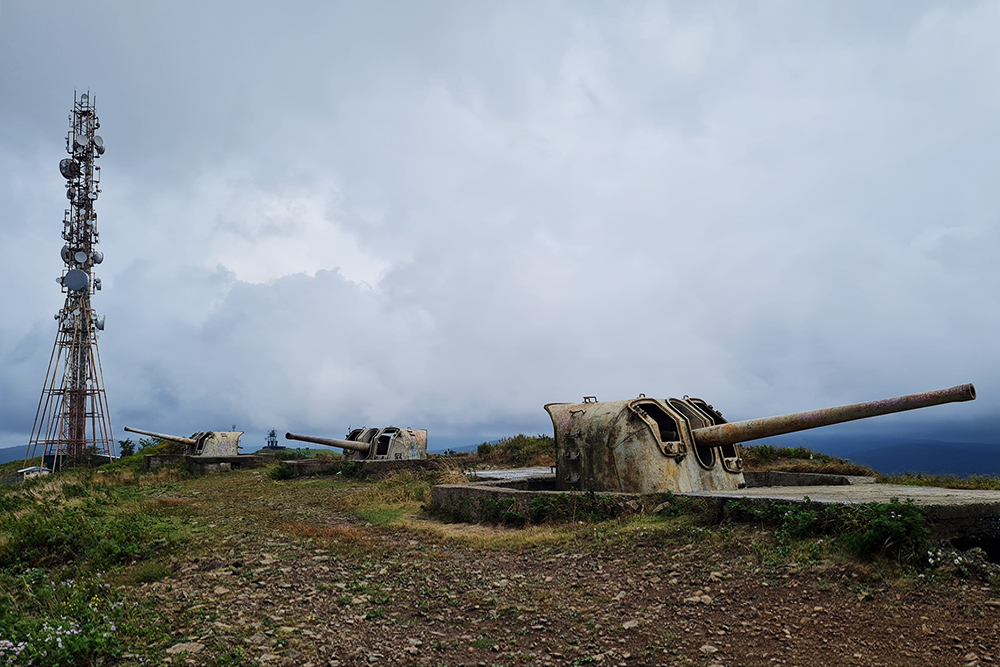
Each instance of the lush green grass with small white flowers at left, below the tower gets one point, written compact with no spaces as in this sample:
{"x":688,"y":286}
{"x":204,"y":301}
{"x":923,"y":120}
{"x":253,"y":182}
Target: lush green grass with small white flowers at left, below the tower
{"x":63,"y":538}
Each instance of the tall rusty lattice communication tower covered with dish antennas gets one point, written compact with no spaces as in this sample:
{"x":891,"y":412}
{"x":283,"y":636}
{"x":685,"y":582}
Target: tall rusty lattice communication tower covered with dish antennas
{"x":72,"y":425}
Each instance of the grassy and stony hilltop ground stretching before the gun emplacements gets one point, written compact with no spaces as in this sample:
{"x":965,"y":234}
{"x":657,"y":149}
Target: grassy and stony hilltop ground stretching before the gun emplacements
{"x":243,"y":569}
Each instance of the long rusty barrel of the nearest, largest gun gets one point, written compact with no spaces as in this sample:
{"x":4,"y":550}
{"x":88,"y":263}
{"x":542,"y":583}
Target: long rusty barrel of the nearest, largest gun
{"x":766,"y":427}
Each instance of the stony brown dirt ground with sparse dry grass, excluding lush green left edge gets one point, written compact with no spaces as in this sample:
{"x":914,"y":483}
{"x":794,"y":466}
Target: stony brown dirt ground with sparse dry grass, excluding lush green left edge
{"x":285,"y":578}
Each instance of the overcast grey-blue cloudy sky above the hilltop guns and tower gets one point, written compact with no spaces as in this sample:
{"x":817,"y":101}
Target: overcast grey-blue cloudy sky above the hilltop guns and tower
{"x":318,"y":215}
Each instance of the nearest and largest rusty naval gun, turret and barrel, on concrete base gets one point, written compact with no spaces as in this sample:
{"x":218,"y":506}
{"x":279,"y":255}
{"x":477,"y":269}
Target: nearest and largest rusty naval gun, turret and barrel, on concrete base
{"x":650,"y":445}
